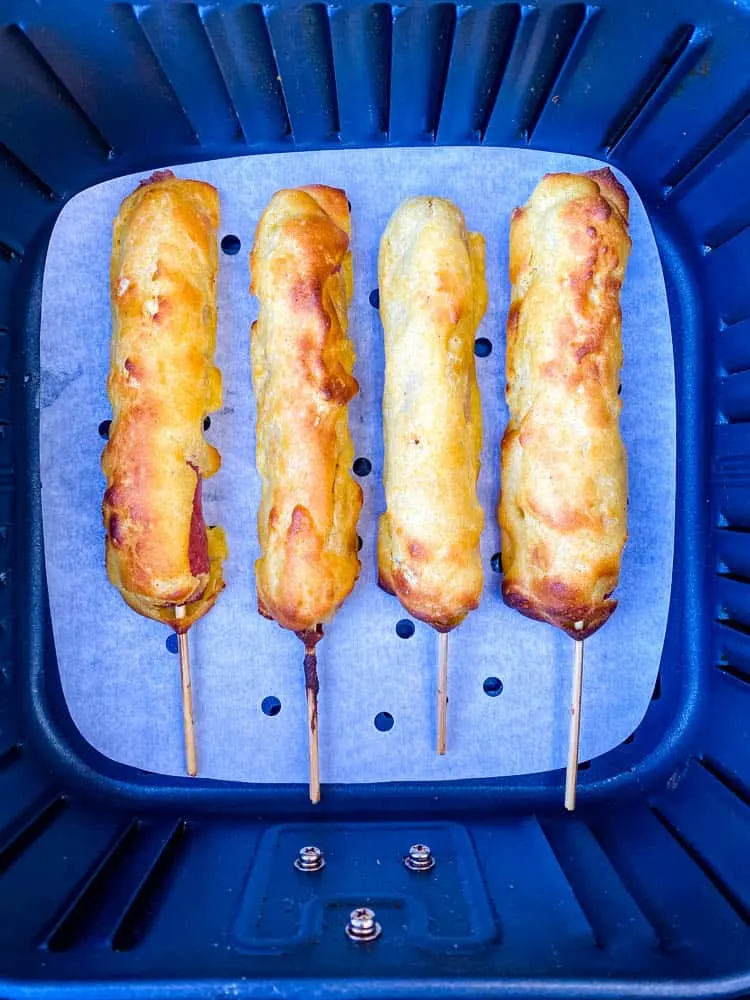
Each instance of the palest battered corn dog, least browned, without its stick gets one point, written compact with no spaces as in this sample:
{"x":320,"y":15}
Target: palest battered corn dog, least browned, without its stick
{"x":432,"y":298}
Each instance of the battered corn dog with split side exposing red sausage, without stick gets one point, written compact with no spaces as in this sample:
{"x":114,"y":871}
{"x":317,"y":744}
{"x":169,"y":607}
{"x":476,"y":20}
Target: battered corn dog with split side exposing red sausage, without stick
{"x":162,"y":383}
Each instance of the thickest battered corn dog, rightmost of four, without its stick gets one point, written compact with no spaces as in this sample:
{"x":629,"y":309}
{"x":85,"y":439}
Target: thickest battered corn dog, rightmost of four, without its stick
{"x":563,"y":499}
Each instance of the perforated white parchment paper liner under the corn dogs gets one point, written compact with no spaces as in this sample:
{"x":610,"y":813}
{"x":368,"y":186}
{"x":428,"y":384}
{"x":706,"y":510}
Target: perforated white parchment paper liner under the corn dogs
{"x":119,"y":677}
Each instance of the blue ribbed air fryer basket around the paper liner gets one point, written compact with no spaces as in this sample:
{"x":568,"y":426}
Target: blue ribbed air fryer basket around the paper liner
{"x":115,"y":883}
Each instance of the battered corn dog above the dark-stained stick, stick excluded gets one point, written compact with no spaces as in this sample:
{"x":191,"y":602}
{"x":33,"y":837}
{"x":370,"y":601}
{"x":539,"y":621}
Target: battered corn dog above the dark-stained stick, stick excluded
{"x":302,"y":364}
